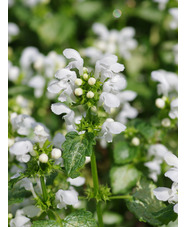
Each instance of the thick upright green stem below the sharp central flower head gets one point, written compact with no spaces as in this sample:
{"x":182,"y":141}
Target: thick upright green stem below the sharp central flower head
{"x":96,"y":187}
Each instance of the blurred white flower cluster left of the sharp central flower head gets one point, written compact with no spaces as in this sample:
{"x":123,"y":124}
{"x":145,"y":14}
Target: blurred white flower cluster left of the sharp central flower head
{"x":36,"y":69}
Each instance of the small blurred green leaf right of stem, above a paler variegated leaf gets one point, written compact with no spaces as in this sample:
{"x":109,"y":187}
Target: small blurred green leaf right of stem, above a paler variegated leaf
{"x":123,"y":153}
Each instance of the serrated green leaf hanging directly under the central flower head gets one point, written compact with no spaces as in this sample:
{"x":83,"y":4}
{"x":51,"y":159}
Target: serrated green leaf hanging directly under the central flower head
{"x":74,"y":153}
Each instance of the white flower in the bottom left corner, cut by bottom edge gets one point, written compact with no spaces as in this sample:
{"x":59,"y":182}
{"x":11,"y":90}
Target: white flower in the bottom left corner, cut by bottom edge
{"x":20,"y":220}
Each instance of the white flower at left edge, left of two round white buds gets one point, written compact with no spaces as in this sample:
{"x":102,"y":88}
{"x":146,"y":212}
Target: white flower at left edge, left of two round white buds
{"x":21,"y":149}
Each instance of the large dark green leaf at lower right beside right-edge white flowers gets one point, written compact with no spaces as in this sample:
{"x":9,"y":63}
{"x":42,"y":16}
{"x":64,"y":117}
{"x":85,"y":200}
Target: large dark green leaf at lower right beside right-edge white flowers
{"x":147,"y":208}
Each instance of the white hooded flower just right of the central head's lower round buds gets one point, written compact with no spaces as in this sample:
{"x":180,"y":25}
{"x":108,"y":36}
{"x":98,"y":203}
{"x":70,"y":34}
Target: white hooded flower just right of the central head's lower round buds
{"x":108,"y":101}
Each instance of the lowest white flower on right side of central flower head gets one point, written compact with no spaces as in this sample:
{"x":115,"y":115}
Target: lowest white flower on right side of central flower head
{"x":110,"y":127}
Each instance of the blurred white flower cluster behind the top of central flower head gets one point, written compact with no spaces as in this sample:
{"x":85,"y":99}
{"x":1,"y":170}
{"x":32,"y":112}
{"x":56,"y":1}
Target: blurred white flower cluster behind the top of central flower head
{"x":111,"y":42}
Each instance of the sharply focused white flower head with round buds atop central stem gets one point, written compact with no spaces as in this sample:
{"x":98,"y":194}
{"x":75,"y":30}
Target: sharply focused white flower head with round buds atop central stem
{"x":94,"y":91}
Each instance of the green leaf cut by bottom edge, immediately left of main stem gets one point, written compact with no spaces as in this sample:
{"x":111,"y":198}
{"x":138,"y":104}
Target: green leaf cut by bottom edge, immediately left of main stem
{"x":80,"y":218}
